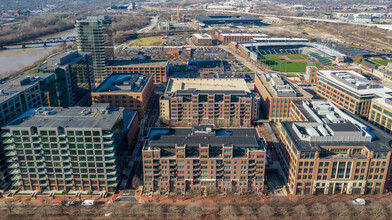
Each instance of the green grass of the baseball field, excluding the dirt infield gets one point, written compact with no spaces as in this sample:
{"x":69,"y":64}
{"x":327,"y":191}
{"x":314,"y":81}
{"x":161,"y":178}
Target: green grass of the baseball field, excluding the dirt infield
{"x":280,"y":65}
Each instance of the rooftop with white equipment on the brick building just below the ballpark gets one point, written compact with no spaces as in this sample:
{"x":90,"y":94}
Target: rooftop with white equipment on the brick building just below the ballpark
{"x":278,"y":87}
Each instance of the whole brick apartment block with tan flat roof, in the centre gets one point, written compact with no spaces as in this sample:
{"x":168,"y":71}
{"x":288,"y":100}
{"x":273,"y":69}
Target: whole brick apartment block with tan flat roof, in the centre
{"x":223,"y":102}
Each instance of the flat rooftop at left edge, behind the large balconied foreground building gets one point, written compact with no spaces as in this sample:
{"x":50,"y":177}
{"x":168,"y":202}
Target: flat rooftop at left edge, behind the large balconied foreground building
{"x":10,"y":87}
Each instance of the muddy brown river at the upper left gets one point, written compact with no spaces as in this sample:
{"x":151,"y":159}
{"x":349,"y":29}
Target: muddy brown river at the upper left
{"x":14,"y":58}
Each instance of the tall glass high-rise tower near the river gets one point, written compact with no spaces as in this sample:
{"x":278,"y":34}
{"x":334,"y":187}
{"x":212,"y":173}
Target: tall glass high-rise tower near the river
{"x":95,"y":36}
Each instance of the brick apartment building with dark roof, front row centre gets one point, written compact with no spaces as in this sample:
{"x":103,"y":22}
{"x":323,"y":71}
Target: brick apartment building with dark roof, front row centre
{"x":204,"y":159}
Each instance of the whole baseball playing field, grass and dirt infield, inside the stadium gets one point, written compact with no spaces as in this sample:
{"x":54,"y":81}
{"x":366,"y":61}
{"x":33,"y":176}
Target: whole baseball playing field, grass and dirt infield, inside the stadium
{"x":286,"y":63}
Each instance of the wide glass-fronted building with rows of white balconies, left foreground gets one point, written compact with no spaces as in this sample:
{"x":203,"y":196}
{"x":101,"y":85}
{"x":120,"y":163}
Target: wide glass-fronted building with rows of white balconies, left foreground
{"x":69,"y":149}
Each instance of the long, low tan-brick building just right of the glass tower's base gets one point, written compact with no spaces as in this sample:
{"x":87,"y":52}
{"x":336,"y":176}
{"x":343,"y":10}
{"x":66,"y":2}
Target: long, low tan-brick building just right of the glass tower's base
{"x":159,"y":68}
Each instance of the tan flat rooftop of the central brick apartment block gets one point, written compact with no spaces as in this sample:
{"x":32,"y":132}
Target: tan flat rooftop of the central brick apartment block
{"x":198,"y":84}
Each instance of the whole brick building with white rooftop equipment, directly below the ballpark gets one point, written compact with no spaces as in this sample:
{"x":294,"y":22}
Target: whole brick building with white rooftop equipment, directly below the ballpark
{"x":276,"y":95}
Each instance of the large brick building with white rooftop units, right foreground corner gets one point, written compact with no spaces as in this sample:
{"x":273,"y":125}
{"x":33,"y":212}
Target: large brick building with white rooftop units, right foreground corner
{"x":328,"y":151}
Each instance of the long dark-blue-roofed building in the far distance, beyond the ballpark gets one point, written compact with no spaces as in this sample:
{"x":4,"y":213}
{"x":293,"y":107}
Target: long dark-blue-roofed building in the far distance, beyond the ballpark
{"x":229,"y":19}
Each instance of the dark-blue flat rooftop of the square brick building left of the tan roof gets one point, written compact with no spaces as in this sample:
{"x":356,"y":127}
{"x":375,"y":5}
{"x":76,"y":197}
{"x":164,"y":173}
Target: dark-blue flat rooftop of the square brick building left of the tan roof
{"x":121,"y":83}
